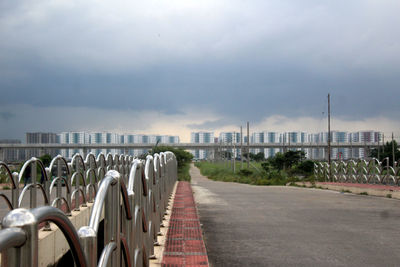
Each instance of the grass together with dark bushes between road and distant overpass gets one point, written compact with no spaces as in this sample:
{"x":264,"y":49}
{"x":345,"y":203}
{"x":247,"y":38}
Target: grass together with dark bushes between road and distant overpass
{"x":281,"y":169}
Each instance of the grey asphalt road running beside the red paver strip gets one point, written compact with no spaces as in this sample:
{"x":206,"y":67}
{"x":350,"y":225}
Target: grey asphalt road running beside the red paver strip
{"x":247,"y":225}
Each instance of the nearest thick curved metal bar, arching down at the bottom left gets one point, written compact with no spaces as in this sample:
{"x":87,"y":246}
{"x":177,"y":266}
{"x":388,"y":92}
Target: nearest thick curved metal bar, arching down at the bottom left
{"x":56,"y":216}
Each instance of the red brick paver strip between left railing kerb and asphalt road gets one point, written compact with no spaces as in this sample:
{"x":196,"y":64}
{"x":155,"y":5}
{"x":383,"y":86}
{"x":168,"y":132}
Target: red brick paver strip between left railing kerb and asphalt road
{"x":184,"y":245}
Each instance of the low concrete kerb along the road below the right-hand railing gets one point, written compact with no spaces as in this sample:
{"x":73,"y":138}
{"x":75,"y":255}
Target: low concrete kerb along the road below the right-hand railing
{"x":353,"y":189}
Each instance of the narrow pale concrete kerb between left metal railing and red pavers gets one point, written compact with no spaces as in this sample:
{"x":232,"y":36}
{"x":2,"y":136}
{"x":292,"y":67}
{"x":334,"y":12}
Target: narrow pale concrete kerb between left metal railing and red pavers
{"x":159,"y":249}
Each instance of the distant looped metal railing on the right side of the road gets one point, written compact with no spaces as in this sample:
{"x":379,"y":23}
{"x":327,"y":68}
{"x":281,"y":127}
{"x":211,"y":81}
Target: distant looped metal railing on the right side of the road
{"x":361,"y":171}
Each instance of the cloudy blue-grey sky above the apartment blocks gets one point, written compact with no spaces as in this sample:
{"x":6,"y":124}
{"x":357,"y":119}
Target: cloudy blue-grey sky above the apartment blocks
{"x":177,"y":66}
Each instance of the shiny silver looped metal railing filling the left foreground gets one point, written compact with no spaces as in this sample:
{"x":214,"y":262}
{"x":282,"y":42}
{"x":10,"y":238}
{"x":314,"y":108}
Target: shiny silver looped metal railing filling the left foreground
{"x":132,"y":195}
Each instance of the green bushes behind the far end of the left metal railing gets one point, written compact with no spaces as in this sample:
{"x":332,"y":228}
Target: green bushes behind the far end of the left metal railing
{"x":183,"y":157}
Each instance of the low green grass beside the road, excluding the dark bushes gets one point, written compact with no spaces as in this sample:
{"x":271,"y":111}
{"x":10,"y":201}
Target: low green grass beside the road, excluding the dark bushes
{"x":224,"y":172}
